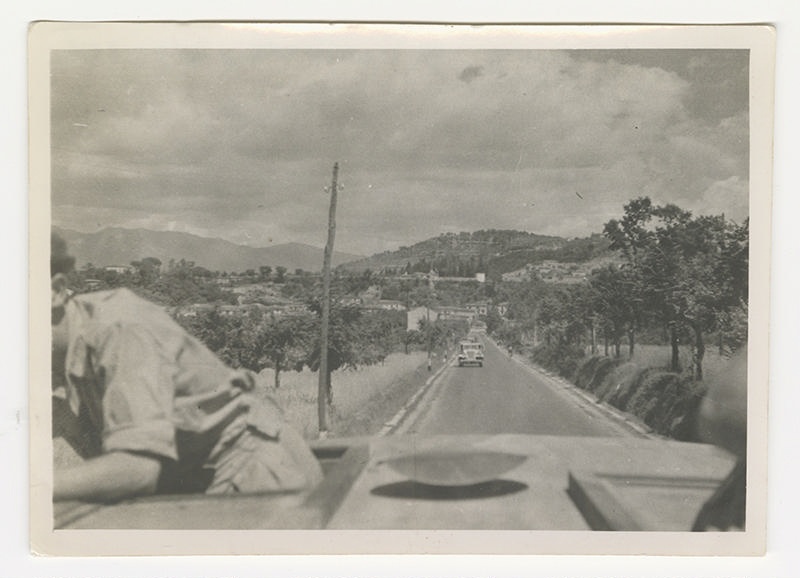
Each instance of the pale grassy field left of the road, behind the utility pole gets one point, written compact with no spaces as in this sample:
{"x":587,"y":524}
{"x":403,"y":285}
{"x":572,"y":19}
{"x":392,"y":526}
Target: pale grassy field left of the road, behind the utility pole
{"x":363,"y":399}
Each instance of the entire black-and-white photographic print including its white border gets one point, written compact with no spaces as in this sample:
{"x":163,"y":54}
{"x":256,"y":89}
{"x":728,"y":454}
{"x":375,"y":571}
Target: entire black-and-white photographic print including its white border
{"x":438,"y":282}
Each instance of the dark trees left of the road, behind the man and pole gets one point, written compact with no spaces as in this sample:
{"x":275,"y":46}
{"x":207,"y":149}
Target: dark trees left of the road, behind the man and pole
{"x":257,"y":339}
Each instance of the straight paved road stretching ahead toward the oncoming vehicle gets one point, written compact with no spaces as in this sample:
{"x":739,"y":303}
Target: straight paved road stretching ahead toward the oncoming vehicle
{"x":504,"y":396}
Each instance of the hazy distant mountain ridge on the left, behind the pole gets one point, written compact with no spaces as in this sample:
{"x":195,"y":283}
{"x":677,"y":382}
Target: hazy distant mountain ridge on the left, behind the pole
{"x":118,"y":246}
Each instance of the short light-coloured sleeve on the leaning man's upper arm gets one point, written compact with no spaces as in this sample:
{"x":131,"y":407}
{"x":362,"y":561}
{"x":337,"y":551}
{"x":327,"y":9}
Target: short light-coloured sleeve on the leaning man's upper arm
{"x":139,"y":391}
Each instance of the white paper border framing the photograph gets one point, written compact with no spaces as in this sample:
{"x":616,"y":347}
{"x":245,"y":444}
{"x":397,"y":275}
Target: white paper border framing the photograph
{"x":48,"y":36}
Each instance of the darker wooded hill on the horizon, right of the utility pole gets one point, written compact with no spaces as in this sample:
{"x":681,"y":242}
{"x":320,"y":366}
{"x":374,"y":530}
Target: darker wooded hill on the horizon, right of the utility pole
{"x":493,"y":252}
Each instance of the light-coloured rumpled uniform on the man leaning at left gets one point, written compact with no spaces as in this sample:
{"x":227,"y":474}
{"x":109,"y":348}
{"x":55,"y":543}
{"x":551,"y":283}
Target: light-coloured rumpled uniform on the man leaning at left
{"x":138,"y":382}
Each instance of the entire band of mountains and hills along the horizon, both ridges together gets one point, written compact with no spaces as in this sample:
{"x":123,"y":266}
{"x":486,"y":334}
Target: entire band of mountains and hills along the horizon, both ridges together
{"x":494,"y":252}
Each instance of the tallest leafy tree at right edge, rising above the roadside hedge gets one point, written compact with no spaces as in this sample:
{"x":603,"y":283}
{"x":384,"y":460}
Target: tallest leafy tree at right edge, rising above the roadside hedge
{"x":692,"y":272}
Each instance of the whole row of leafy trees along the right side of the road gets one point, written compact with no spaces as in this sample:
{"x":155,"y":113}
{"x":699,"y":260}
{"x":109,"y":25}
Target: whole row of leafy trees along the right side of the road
{"x":677,"y":279}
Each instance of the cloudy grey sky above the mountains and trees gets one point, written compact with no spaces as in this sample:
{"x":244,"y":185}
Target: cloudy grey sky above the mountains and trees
{"x":240,"y":144}
